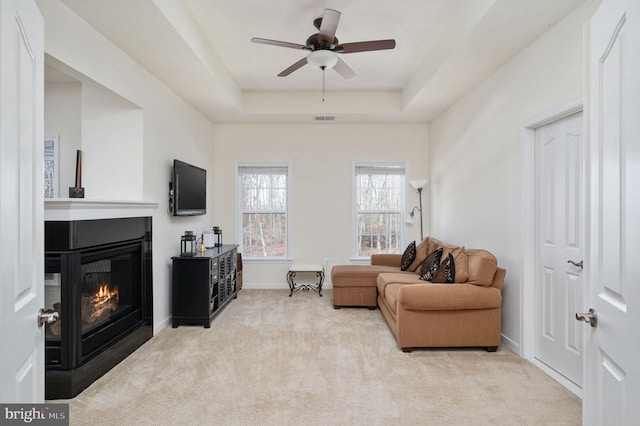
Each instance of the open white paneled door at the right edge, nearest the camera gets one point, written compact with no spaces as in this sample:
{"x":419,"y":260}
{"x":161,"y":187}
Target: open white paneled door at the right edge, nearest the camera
{"x":612,"y":267}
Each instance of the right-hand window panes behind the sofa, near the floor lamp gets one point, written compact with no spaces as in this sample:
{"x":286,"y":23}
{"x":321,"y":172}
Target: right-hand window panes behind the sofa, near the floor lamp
{"x":379,"y":197}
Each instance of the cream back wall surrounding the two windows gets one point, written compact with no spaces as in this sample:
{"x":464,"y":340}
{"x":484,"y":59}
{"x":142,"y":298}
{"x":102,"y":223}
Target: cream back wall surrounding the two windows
{"x":321,"y":158}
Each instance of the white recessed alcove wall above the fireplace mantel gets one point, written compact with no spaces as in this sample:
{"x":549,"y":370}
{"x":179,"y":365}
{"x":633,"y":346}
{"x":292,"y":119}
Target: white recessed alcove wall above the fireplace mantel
{"x":107,"y":128}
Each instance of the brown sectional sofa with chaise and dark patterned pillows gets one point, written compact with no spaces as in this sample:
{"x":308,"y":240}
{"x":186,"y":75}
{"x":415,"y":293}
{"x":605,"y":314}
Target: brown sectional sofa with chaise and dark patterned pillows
{"x":424,"y":314}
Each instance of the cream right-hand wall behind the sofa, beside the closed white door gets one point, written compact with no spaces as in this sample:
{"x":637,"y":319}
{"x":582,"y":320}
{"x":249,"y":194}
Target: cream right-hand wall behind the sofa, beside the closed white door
{"x":475,"y":170}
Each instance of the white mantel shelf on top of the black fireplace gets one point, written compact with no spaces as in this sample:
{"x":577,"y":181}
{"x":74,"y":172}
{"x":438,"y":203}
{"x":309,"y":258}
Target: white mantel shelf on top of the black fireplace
{"x":68,"y":209}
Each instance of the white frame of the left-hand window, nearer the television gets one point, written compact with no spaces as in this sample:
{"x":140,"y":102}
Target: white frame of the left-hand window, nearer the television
{"x":239,"y":210}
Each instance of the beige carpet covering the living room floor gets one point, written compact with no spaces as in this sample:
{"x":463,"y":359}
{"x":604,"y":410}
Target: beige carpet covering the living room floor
{"x":273,"y":360}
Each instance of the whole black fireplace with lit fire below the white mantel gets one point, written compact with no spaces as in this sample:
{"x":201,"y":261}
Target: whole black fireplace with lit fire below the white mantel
{"x":99,"y":279}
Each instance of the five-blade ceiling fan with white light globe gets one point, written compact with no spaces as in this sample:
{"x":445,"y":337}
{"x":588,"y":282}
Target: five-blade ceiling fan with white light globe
{"x":324,"y":46}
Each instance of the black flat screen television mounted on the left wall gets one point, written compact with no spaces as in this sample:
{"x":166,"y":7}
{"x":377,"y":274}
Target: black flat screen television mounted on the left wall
{"x":189,"y":189}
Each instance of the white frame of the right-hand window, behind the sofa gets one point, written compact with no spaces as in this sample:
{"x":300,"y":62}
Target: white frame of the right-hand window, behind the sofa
{"x":376,"y":164}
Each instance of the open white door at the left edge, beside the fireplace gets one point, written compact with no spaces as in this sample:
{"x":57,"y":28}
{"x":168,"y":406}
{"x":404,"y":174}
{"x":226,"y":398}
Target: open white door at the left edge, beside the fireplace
{"x":22,"y":205}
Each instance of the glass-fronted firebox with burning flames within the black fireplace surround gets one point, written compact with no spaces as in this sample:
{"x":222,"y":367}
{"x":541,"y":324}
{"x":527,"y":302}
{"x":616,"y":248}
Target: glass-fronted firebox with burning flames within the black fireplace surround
{"x":98,"y":293}
